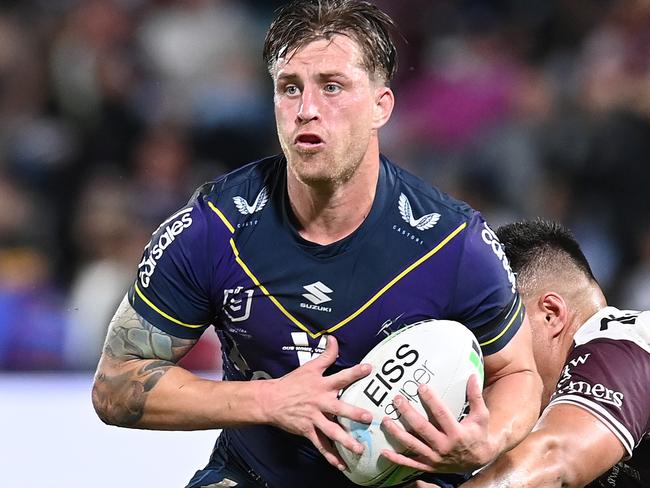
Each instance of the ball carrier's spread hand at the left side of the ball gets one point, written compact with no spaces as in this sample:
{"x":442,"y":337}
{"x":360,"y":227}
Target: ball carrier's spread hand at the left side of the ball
{"x":306,"y":403}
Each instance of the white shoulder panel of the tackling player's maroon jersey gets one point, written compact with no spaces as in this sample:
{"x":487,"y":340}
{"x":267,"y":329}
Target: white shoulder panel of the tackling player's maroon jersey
{"x":616,"y":324}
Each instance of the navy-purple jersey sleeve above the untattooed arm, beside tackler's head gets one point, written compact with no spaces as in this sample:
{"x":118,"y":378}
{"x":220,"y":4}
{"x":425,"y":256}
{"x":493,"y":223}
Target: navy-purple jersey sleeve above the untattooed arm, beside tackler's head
{"x":486,"y":299}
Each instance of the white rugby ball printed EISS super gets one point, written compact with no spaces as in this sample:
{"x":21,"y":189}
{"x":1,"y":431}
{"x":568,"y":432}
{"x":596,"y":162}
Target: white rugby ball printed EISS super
{"x":440,"y":353}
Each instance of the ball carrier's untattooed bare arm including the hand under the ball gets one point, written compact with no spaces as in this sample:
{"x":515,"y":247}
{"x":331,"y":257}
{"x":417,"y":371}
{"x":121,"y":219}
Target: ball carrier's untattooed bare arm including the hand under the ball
{"x":494,"y":424}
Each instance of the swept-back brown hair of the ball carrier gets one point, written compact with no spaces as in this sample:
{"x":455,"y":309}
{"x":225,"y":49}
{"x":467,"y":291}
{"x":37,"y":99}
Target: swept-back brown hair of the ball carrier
{"x":303,"y":21}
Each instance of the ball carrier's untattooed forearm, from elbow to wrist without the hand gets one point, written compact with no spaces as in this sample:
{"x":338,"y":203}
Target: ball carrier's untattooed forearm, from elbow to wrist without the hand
{"x":514,"y":403}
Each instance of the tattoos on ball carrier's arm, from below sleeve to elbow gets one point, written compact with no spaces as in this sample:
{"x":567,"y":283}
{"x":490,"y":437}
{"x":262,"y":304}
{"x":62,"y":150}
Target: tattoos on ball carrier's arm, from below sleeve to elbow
{"x":136,"y":356}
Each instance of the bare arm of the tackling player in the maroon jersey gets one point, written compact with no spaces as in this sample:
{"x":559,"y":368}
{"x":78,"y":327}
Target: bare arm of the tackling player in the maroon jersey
{"x":569,"y":447}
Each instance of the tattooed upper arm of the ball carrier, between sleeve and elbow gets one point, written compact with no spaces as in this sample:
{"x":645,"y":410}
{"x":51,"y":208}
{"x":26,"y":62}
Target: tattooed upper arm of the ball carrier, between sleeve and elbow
{"x":130,"y":336}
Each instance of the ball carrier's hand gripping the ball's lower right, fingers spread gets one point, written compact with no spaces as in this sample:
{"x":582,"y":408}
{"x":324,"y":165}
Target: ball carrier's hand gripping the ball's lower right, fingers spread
{"x":441,"y":443}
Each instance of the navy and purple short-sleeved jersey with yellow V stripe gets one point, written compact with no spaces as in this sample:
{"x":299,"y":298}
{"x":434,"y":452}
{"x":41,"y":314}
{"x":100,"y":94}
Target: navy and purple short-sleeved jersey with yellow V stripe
{"x":232,"y":258}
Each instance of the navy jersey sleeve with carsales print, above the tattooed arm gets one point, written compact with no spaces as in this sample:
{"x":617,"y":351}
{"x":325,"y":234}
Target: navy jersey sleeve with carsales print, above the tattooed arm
{"x":173,"y":286}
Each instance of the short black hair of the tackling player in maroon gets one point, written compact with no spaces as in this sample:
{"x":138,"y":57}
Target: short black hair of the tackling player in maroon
{"x":538,"y":247}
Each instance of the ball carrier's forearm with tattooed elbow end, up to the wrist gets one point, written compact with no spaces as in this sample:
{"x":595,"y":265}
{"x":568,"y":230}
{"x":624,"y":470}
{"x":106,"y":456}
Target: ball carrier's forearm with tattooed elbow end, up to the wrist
{"x":156,"y":394}
